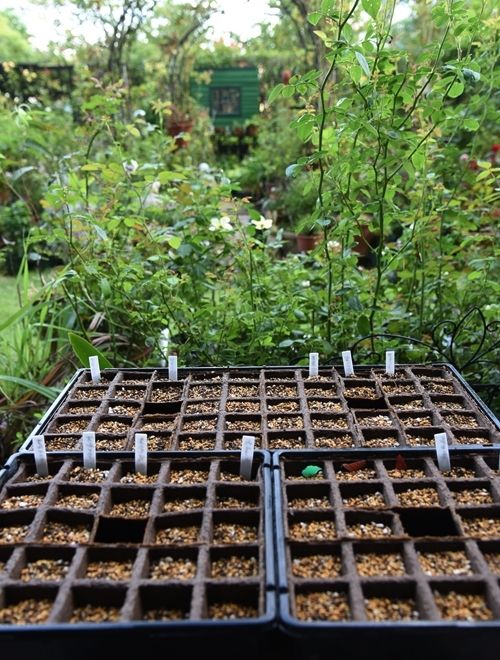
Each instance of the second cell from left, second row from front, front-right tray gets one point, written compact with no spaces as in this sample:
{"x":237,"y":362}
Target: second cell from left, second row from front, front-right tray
{"x":379,"y":559}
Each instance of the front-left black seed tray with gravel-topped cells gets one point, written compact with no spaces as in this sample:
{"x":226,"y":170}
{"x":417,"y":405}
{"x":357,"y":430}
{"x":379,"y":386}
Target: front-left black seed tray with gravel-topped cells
{"x":163,"y":555}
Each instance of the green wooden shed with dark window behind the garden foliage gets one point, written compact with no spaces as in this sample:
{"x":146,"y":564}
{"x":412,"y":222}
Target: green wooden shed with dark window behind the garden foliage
{"x":231,"y":95}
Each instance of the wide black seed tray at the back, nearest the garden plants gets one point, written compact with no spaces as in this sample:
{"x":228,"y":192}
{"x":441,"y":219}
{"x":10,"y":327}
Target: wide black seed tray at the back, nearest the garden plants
{"x":210,"y":409}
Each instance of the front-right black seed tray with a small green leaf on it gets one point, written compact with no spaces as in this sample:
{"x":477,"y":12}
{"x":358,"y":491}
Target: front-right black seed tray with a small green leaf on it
{"x":381,"y":556}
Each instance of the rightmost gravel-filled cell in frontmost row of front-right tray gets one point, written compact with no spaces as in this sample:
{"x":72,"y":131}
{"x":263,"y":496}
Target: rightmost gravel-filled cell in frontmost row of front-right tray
{"x":462,"y":602}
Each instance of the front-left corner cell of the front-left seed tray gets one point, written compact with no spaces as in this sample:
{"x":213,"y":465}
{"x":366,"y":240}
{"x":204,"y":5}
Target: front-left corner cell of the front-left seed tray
{"x":27,"y":605}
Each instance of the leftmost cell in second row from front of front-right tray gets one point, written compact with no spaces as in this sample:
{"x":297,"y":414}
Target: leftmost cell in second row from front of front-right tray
{"x":315,"y":561}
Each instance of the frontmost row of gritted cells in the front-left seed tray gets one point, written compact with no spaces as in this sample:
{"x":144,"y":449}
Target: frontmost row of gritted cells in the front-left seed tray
{"x":85,"y":604}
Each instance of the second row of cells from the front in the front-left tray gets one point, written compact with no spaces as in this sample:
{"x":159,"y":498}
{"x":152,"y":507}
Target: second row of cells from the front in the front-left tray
{"x":35,"y":564}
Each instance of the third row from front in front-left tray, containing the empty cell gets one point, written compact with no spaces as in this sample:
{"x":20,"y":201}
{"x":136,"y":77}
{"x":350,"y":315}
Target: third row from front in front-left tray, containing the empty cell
{"x":62,"y":527}
